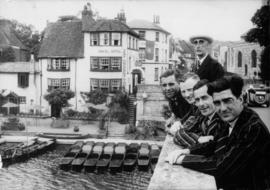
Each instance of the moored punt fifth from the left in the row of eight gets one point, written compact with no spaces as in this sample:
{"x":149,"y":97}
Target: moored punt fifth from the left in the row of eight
{"x":118,"y":157}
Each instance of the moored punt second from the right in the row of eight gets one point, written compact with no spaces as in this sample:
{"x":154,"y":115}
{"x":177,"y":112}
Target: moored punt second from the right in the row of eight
{"x":143,"y":156}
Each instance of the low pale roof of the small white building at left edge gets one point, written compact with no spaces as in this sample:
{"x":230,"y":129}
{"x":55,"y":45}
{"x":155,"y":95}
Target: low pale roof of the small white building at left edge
{"x":17,"y":67}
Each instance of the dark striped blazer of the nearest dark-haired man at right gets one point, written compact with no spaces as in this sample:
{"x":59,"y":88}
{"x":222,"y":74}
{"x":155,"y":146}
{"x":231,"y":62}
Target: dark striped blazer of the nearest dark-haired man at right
{"x":242,"y":162}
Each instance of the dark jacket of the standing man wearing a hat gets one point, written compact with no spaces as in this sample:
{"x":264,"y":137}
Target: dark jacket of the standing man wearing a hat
{"x":210,"y":69}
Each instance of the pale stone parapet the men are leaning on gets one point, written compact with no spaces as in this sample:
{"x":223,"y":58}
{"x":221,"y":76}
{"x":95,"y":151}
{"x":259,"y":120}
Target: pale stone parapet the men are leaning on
{"x":168,"y":176}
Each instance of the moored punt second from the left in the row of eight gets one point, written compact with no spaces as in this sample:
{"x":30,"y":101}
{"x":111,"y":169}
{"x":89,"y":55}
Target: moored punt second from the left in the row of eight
{"x":77,"y":163}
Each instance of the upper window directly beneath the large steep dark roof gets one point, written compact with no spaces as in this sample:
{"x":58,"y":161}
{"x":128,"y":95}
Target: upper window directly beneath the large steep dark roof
{"x":59,"y":64}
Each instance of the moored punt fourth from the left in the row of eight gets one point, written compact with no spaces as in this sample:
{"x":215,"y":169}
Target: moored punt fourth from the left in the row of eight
{"x":106,"y":157}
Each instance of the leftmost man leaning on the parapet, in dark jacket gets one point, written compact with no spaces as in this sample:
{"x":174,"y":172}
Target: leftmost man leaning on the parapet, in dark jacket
{"x":170,"y":87}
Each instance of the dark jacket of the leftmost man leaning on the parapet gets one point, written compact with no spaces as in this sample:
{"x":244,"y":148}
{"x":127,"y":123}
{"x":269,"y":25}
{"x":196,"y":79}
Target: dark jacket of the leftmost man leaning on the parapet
{"x":179,"y":106}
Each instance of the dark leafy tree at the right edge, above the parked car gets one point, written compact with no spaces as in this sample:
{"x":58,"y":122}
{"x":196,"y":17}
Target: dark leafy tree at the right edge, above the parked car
{"x":261,"y":35}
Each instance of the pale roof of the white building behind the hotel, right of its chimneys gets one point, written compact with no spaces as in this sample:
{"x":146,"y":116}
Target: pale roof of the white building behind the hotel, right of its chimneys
{"x":146,"y":25}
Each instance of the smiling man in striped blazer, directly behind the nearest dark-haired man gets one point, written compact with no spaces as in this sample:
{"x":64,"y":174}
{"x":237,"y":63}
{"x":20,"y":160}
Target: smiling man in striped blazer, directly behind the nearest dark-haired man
{"x":207,"y":126}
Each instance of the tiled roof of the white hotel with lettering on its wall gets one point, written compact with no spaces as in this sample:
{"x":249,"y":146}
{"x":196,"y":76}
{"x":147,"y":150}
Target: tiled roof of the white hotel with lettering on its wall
{"x":107,"y":25}
